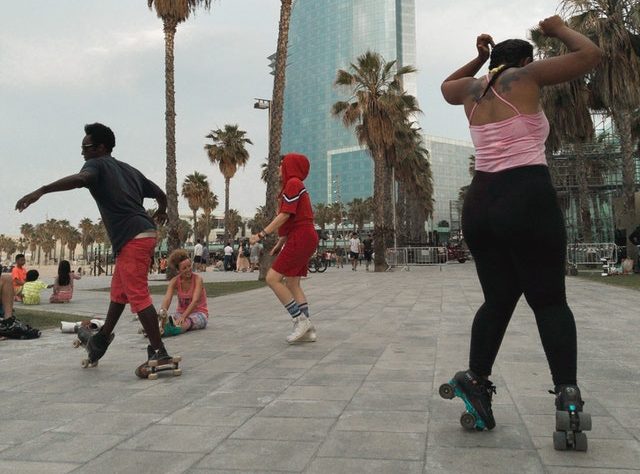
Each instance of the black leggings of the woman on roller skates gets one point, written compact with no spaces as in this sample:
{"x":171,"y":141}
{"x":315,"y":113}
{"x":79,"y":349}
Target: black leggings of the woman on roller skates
{"x":515,"y":231}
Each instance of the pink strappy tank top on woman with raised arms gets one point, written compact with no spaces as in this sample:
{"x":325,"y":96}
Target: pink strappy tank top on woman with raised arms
{"x":510,"y":143}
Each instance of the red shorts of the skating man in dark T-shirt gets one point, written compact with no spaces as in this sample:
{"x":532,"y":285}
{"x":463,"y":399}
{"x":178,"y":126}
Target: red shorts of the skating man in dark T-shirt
{"x":129,"y":282}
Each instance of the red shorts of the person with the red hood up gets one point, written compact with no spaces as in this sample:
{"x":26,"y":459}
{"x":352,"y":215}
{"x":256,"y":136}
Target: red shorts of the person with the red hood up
{"x":293,"y":259}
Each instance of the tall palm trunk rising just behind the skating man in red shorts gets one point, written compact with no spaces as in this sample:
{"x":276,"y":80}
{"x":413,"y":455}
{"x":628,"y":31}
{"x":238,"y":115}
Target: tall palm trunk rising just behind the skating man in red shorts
{"x":170,"y":133}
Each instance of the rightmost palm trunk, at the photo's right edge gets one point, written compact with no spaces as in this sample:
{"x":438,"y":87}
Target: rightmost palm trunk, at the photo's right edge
{"x":622,"y":119}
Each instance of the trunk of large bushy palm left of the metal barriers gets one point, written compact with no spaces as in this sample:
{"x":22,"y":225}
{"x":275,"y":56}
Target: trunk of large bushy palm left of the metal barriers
{"x":380,"y":191}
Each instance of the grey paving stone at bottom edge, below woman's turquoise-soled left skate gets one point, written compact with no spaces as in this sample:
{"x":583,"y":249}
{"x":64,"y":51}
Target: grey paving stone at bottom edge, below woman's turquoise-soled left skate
{"x":474,"y":460}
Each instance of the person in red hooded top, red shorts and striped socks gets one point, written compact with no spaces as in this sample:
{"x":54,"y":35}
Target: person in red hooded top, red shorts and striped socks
{"x":297,"y":242}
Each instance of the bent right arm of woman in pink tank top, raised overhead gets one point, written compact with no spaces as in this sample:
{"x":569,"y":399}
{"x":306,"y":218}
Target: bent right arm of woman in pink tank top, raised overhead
{"x":583,"y":56}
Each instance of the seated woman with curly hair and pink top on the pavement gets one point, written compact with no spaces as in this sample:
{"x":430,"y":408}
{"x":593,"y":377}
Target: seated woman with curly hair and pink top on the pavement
{"x":192,"y":312}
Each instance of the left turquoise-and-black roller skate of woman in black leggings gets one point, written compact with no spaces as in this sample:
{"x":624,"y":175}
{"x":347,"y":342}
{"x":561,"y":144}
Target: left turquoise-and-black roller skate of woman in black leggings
{"x":476,"y":393}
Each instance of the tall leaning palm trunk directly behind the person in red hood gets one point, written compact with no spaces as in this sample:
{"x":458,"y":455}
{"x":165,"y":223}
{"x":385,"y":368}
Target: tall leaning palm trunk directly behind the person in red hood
{"x":275,"y":131}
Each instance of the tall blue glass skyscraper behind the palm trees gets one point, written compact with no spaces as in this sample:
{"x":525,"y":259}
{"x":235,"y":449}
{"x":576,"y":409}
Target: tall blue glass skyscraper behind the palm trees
{"x":325,"y":36}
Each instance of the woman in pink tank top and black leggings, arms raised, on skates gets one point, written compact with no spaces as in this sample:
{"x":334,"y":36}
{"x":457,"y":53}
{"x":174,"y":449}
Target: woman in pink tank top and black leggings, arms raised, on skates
{"x":511,"y":219}
